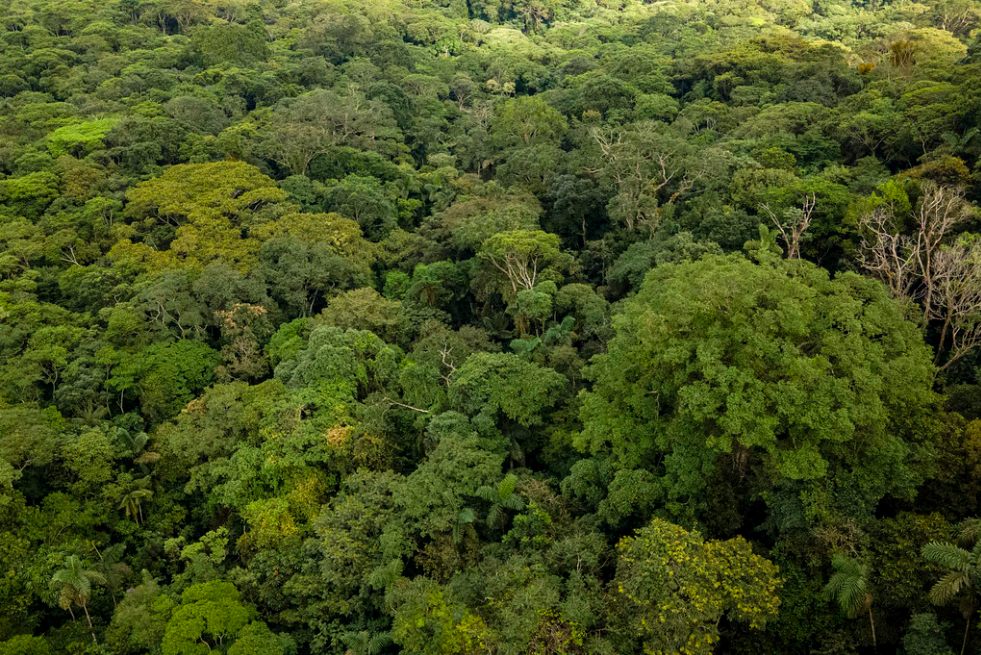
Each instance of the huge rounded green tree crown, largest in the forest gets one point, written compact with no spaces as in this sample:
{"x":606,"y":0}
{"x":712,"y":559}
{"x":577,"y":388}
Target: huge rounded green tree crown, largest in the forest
{"x":764,"y":369}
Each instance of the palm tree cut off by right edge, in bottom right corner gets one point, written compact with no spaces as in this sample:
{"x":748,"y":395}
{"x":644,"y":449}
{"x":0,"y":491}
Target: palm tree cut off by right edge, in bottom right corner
{"x":963,"y":574}
